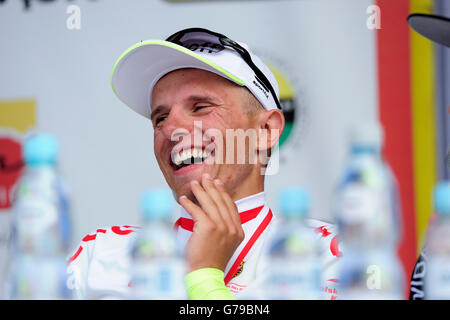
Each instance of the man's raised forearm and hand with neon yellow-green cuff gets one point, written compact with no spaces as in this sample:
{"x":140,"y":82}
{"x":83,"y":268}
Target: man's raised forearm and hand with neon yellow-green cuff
{"x":216,"y":234}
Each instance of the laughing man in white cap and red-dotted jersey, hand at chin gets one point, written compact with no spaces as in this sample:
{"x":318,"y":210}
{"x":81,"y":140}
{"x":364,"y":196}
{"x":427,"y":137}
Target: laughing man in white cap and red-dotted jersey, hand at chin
{"x":216,"y":115}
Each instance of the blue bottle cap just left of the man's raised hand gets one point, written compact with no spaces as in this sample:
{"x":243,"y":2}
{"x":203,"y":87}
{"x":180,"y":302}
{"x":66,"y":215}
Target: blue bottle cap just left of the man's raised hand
{"x":156,"y":204}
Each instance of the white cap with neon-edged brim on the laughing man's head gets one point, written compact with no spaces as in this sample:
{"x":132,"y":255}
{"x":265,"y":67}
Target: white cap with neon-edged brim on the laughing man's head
{"x":140,"y":67}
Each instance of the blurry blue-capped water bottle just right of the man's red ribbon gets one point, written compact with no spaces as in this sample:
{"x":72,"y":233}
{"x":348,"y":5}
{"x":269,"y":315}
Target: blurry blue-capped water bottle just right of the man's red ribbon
{"x":293,"y":251}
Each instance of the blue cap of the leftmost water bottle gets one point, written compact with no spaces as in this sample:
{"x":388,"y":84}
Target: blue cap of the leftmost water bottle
{"x":41,"y":148}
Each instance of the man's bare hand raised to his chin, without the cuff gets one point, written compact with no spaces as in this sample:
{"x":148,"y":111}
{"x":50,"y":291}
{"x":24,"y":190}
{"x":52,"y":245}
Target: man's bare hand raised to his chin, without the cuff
{"x":217,"y":226}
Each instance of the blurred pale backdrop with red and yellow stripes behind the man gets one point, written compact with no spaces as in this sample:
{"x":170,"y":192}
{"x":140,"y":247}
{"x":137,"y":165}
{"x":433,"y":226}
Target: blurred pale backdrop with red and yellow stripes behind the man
{"x":338,"y":62}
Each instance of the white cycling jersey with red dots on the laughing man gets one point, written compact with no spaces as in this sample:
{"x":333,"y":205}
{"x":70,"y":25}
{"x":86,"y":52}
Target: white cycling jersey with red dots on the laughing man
{"x":99,"y":267}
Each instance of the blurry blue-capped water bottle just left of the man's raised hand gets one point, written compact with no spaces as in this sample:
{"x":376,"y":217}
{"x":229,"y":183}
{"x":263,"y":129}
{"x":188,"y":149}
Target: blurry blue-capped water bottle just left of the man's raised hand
{"x":157,"y":268}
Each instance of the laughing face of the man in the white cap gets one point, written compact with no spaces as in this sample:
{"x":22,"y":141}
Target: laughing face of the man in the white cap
{"x":188,"y":106}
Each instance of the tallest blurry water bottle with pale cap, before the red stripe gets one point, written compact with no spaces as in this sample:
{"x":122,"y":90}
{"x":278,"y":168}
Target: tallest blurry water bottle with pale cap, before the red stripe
{"x":368,"y":217}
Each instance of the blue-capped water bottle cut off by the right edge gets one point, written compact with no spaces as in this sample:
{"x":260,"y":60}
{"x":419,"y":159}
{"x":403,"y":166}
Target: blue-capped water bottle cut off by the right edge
{"x":437,"y":276}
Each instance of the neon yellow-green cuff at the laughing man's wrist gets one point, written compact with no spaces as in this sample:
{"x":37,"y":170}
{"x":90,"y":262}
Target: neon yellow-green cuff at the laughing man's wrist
{"x":207,"y":284}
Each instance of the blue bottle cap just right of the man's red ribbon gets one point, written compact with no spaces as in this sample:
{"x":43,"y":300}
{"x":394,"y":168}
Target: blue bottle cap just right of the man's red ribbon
{"x":294,"y":202}
